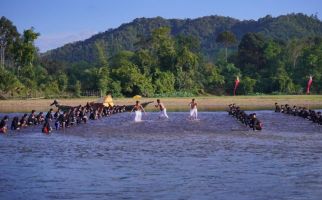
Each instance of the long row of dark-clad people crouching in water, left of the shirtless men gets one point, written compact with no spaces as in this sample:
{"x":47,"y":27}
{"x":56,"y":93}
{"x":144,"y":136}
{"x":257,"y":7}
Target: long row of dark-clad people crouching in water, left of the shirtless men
{"x":61,"y":119}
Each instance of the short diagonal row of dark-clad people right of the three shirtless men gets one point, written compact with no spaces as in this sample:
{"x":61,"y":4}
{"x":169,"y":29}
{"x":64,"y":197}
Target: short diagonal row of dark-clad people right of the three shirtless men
{"x":248,"y":119}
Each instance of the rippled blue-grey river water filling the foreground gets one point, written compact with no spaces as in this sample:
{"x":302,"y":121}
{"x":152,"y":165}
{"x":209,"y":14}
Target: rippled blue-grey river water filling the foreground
{"x":214,"y":158}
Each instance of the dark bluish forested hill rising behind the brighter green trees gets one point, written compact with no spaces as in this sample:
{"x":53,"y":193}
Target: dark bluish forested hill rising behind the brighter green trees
{"x":206,"y":29}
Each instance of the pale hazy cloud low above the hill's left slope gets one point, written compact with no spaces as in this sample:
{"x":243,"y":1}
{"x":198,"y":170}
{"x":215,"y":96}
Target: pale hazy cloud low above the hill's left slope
{"x":52,"y":41}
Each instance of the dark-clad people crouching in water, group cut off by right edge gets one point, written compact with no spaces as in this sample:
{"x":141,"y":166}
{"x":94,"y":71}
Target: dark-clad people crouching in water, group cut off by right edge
{"x":314,"y":116}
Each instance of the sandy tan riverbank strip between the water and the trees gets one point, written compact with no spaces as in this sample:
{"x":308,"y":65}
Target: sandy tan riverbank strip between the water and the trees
{"x":205,"y":103}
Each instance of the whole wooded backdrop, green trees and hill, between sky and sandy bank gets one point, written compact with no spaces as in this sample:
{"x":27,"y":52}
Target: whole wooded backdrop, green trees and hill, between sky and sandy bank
{"x":159,"y":57}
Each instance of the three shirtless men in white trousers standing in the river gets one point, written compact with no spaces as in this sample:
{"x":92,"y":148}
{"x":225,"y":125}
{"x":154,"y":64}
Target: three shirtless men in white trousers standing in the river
{"x":138,"y":109}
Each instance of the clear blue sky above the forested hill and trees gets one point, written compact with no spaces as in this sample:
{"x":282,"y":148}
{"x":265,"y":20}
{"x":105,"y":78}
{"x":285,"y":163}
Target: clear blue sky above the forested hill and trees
{"x":63,"y":21}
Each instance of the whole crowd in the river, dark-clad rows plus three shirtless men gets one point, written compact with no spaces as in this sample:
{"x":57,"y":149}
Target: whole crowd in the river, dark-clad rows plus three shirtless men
{"x":68,"y":116}
